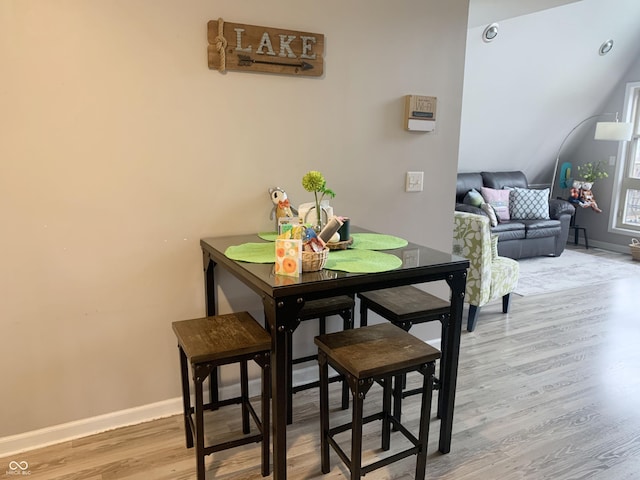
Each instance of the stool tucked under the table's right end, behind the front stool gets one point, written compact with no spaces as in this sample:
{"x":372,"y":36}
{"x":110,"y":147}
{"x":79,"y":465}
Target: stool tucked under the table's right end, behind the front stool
{"x":404,"y":307}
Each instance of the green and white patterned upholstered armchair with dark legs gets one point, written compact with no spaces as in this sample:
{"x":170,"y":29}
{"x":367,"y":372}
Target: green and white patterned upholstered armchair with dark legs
{"x":490,"y":276}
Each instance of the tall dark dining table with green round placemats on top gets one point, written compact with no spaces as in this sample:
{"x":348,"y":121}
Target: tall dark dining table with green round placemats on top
{"x":283,"y":297}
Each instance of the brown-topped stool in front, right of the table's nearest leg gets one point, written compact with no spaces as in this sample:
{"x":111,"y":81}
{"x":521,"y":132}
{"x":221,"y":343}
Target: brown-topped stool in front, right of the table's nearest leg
{"x":366,"y":355}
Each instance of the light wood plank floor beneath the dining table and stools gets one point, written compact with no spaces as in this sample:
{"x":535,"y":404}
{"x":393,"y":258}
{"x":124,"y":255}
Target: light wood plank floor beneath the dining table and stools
{"x":549,"y":391}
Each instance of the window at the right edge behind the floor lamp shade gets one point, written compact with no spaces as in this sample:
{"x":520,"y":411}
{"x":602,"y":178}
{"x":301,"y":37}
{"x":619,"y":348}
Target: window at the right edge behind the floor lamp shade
{"x":626,"y":196}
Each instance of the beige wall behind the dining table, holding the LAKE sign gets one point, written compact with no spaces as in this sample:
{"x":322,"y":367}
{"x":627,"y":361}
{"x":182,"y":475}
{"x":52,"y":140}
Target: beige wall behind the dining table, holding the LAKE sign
{"x":120,"y":149}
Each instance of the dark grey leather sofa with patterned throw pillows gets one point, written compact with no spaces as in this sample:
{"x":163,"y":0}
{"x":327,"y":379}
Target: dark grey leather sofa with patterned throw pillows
{"x":519,"y":238}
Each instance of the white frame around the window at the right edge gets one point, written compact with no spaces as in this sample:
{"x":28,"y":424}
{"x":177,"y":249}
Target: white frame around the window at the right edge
{"x":622,"y":180}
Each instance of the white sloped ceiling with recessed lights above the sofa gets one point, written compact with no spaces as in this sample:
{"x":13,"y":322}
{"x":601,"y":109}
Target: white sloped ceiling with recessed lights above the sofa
{"x":540,"y":77}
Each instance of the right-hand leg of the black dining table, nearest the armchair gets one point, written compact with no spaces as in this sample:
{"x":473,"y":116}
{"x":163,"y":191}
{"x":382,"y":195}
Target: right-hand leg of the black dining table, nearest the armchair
{"x":457,"y":283}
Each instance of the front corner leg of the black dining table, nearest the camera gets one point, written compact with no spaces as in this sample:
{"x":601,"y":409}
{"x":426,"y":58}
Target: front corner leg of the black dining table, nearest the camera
{"x":281,"y":315}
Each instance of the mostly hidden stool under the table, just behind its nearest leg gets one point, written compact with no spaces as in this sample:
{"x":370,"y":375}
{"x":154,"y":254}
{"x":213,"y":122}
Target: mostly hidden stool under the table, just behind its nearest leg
{"x":342,"y":305}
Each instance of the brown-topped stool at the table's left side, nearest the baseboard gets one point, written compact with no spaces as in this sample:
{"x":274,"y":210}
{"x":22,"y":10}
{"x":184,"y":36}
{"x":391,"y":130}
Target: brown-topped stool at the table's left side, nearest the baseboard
{"x":205,"y":344}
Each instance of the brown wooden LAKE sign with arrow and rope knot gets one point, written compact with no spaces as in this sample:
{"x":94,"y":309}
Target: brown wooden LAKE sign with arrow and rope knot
{"x":250,"y":48}
